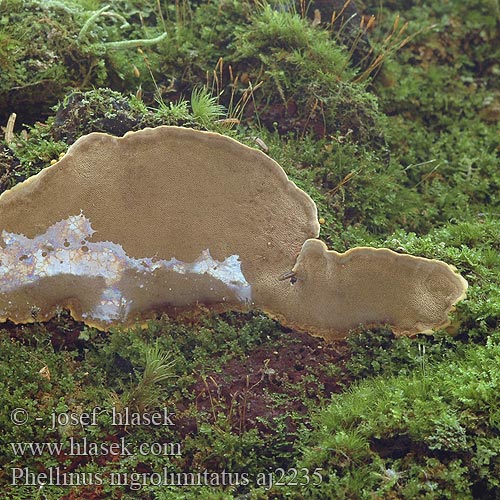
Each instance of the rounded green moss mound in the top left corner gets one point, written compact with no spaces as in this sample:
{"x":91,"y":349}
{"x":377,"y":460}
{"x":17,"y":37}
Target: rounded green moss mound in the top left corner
{"x":41,"y":56}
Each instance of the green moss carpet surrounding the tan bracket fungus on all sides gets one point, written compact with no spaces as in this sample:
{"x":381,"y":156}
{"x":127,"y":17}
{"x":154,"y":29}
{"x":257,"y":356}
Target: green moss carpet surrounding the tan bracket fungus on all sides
{"x":409,"y":162}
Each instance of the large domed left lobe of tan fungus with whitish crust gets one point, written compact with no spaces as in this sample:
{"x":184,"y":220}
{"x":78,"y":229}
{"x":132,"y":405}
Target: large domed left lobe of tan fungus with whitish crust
{"x":161,"y":219}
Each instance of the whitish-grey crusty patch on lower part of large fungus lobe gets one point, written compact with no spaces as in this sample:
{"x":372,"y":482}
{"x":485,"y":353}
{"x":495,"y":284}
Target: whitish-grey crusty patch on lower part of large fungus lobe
{"x":35,"y":267}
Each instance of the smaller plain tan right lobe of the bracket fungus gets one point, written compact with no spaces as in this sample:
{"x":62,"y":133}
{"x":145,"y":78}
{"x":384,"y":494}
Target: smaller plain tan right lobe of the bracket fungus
{"x":335,"y":292}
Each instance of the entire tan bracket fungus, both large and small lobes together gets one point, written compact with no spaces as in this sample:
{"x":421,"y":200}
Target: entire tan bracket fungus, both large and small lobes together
{"x":170,"y":218}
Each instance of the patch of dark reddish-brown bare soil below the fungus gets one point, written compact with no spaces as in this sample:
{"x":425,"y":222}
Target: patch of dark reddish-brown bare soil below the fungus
{"x":289,"y":375}
